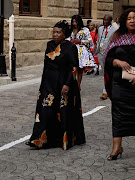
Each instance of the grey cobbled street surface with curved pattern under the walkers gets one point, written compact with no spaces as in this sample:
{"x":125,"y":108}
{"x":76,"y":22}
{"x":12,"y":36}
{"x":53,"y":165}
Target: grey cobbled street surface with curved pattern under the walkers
{"x":85,"y":162}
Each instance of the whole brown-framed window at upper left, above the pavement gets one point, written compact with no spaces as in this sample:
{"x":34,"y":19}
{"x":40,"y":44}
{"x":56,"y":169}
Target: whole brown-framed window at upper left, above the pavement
{"x":29,"y":7}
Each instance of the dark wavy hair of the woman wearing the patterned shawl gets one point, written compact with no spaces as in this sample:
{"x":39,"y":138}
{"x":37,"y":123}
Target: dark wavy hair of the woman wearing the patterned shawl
{"x":123,"y":19}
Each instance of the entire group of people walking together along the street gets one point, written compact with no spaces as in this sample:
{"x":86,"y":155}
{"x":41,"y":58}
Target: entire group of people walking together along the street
{"x":58,"y":116}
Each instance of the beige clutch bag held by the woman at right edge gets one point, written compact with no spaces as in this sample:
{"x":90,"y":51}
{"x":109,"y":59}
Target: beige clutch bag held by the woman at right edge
{"x":128,"y":75}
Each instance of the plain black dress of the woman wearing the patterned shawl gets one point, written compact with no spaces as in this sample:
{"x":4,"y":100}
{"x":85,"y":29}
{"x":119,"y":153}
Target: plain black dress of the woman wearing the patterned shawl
{"x":123,"y":92}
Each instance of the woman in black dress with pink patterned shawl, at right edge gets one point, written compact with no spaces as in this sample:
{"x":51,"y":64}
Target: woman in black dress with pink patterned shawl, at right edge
{"x":120,"y":55}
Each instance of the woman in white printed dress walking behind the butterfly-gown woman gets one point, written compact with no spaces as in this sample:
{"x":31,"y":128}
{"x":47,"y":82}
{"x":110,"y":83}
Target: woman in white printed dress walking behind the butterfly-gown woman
{"x":81,"y":37}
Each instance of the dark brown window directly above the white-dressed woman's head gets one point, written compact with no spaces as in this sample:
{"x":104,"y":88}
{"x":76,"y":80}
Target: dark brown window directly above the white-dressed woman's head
{"x":85,"y":8}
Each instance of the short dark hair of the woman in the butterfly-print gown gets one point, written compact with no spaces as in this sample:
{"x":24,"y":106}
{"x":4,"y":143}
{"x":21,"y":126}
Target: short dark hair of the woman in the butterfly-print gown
{"x":64,"y":26}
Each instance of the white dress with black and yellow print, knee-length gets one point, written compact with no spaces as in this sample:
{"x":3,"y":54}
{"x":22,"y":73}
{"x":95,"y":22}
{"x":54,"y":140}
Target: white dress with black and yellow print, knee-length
{"x":86,"y":58}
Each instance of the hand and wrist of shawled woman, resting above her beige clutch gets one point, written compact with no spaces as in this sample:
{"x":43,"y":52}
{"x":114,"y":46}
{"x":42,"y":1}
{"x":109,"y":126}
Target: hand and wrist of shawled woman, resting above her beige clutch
{"x":123,"y":64}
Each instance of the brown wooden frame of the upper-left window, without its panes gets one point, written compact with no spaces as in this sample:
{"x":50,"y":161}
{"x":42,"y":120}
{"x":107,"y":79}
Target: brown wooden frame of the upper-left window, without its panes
{"x":31,"y":13}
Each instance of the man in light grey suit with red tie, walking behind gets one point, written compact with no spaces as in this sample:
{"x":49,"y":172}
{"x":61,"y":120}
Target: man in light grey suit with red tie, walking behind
{"x":104,"y":34}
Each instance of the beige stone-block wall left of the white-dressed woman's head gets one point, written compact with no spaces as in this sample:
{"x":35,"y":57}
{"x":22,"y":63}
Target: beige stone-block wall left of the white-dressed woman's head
{"x":32,"y":33}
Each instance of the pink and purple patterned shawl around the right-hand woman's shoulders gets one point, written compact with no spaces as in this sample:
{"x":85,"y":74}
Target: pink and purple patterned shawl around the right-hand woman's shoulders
{"x":123,"y":40}
